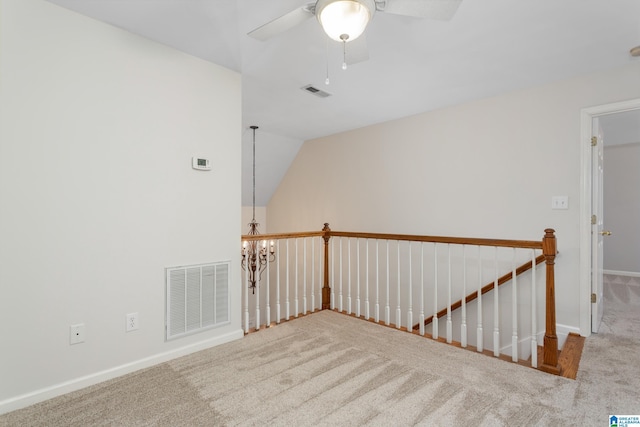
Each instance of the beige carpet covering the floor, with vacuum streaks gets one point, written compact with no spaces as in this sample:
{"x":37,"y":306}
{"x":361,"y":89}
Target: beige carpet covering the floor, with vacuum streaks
{"x":331,"y":369}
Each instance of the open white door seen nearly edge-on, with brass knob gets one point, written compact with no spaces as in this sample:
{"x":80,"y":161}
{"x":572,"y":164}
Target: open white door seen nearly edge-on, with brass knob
{"x":597,"y":232}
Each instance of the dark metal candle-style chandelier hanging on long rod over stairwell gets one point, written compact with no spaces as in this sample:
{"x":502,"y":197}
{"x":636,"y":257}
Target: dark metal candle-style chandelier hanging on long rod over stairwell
{"x":255,"y":255}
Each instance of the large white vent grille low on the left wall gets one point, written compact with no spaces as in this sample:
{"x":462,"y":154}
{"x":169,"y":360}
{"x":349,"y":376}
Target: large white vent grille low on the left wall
{"x":197,"y":298}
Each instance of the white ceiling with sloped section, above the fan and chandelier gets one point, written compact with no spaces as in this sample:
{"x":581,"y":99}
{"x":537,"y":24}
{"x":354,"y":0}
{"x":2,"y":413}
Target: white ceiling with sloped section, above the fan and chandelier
{"x":415,"y":65}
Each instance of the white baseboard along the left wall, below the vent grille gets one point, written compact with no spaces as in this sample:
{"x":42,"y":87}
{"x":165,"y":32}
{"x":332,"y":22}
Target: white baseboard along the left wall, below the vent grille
{"x":46,"y":393}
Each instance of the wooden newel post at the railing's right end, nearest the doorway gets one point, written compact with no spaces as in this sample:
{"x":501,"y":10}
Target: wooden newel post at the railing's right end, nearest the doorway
{"x":550,"y":355}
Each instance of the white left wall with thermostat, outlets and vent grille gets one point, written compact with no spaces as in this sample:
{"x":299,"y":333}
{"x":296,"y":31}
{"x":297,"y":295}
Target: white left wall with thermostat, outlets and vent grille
{"x":98,"y":127}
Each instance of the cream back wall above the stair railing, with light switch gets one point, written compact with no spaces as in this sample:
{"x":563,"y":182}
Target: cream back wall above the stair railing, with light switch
{"x":488,"y":168}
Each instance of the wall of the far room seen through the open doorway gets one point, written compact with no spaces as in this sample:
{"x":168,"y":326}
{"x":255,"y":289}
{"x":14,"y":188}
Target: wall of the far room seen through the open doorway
{"x":622,"y":208}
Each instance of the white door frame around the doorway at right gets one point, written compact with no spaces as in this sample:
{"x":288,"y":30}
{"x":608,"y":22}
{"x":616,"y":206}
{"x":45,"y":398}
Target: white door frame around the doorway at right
{"x":586,"y":118}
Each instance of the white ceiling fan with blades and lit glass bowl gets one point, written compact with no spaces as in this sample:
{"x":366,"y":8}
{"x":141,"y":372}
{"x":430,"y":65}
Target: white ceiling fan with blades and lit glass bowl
{"x":346,"y":20}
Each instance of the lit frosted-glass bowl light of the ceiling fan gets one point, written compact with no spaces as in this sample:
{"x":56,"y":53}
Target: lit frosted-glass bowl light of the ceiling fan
{"x":344,"y":20}
